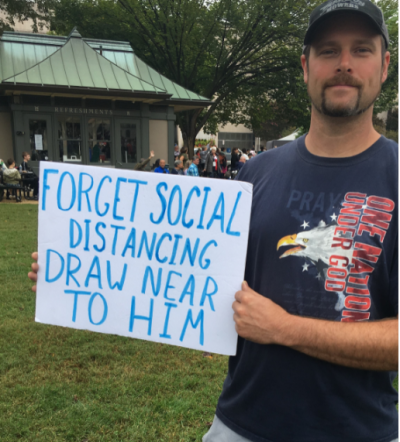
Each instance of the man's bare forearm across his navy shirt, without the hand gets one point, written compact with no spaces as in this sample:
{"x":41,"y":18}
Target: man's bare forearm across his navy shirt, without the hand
{"x":369,"y":345}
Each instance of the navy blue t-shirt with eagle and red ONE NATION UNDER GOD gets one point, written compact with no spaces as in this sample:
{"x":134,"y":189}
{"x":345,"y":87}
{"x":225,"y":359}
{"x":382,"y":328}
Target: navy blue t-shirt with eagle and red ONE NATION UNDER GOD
{"x":322,"y":244}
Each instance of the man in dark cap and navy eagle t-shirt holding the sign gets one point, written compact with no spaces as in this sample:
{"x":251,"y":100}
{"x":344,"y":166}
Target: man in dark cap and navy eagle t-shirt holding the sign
{"x":317,"y":314}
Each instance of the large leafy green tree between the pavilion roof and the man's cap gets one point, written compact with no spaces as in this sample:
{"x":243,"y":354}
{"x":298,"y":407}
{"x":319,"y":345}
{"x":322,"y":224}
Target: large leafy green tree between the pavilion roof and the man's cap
{"x":232,"y":51}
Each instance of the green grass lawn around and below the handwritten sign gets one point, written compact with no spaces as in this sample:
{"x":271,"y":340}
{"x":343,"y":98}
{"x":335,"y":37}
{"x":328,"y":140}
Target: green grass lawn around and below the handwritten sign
{"x":59,"y":384}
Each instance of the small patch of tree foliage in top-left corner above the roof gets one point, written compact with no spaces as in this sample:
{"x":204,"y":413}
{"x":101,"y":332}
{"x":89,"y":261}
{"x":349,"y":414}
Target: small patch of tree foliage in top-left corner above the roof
{"x":23,"y":10}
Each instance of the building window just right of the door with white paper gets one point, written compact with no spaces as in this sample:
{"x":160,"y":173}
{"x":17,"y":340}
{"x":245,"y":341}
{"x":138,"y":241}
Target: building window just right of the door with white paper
{"x":69,"y":139}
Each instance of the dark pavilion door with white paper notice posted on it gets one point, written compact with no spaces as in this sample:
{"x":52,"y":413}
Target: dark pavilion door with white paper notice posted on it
{"x":39,"y":139}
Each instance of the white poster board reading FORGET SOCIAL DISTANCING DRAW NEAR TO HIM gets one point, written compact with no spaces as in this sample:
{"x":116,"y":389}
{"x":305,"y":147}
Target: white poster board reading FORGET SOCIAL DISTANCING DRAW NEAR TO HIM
{"x":145,"y":255}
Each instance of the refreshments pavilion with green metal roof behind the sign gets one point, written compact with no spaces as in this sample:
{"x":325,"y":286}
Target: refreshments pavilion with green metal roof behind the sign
{"x":87,"y":101}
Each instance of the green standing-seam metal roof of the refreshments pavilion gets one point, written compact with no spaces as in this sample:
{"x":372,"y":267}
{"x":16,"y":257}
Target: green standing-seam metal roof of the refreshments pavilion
{"x":73,"y":61}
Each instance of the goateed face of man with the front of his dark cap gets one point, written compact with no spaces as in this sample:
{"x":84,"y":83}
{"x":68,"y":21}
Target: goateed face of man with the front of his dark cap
{"x":344,"y":72}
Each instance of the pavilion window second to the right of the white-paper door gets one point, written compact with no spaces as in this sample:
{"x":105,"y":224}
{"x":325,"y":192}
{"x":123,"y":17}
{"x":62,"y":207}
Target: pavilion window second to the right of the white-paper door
{"x":99,"y":140}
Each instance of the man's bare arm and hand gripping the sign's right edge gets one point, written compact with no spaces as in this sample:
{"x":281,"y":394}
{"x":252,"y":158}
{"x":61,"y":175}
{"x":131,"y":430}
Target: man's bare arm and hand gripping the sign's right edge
{"x":369,"y":345}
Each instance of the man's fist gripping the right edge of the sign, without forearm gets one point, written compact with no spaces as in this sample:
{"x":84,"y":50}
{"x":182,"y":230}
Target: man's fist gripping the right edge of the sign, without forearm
{"x":257,"y":318}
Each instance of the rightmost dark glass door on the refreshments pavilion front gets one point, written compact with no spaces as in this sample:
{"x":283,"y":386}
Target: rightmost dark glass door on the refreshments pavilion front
{"x":127,"y":142}
